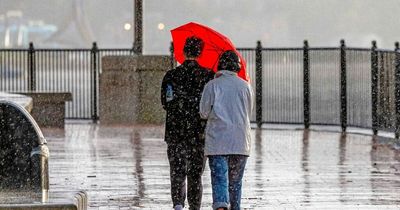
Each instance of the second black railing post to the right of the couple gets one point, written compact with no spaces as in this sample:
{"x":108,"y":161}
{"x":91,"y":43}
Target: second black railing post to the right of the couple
{"x":306,"y":85}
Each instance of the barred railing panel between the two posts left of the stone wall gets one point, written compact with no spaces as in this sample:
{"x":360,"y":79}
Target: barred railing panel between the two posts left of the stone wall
{"x":66,"y":71}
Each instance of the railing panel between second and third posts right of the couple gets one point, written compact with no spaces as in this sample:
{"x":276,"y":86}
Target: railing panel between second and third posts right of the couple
{"x":325,"y":86}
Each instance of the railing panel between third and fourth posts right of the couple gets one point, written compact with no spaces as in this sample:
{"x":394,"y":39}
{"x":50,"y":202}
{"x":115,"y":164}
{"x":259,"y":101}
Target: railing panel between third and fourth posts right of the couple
{"x":358,"y":63}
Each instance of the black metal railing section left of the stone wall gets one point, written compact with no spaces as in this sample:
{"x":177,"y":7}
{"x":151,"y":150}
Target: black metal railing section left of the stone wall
{"x":57,"y":70}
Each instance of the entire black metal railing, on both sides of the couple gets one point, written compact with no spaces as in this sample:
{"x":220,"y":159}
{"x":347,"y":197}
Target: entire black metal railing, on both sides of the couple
{"x":341,"y":85}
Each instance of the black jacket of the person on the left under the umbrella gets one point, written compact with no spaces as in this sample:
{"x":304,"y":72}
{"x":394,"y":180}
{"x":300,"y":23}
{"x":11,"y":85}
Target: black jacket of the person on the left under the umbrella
{"x":183,"y":120}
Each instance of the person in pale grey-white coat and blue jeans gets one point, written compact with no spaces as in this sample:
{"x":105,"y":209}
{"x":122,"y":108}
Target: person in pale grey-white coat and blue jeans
{"x":226,"y":103}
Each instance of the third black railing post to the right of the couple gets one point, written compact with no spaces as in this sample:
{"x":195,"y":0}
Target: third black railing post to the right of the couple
{"x":343,"y":86}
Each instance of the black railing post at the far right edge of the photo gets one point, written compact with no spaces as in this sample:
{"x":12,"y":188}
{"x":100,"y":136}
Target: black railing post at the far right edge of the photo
{"x":397,"y":89}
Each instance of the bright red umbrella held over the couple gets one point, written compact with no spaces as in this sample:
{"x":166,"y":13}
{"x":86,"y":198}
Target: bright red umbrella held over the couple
{"x":215,"y":44}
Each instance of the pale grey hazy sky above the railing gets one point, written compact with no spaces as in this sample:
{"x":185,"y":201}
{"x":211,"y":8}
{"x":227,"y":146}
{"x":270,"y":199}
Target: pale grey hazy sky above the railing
{"x":277,"y":23}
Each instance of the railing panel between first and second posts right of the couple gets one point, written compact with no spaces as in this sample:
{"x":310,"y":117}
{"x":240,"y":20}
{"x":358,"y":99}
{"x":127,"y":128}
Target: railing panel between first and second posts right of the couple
{"x":283,"y":85}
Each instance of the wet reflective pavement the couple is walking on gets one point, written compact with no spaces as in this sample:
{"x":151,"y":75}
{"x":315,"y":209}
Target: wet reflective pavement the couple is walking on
{"x":127,"y":168}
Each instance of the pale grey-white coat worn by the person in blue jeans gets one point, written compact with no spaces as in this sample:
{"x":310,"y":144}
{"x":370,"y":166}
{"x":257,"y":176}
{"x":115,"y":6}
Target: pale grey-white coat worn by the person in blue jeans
{"x":226,"y":103}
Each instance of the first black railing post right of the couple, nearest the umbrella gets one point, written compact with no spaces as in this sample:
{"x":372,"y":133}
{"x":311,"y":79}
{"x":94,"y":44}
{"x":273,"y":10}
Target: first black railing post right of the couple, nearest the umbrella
{"x":259,"y":84}
